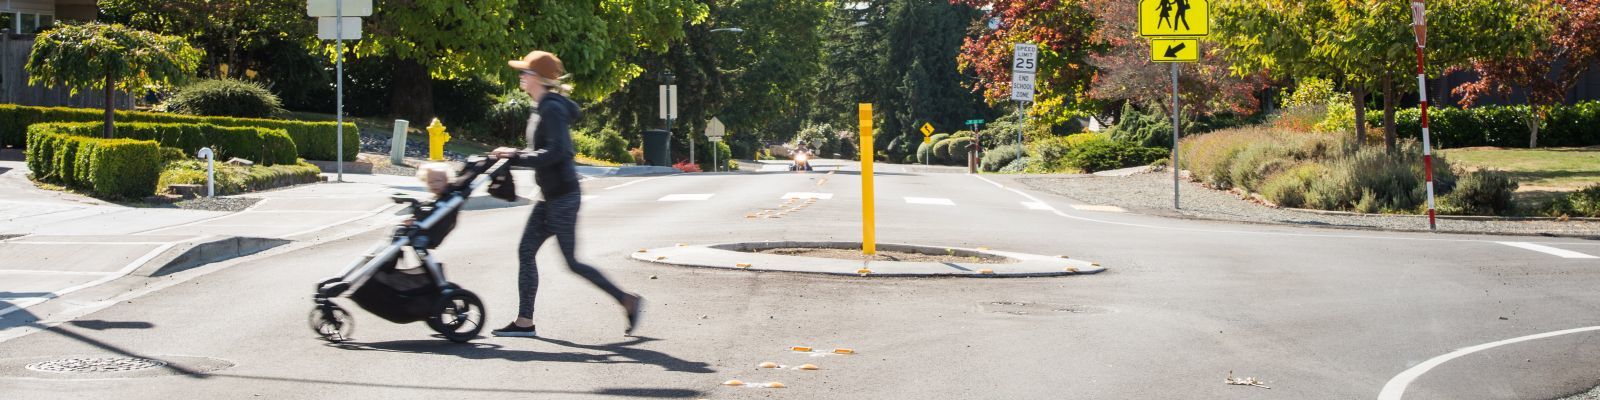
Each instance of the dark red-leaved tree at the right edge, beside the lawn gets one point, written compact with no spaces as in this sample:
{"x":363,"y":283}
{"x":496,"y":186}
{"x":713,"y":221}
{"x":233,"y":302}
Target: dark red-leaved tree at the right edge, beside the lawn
{"x":1551,"y":71}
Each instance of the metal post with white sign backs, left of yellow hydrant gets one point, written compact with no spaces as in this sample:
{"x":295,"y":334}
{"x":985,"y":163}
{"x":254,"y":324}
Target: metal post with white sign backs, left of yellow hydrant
{"x":338,"y":22}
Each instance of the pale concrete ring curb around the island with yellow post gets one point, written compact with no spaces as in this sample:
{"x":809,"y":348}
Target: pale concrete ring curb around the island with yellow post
{"x":738,"y":257}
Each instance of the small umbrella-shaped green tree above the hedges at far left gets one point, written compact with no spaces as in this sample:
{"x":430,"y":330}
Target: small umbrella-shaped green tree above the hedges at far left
{"x":110,"y":58}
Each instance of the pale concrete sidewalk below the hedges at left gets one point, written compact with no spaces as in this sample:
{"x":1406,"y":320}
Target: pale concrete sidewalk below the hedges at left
{"x":54,"y":244}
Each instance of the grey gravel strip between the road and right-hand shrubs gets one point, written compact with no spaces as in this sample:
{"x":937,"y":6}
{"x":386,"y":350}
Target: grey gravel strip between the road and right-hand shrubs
{"x":1153,"y":194}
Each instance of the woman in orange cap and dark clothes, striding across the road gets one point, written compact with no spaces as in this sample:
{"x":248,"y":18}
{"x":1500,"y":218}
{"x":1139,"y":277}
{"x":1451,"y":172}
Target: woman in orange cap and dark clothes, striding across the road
{"x":551,"y":156}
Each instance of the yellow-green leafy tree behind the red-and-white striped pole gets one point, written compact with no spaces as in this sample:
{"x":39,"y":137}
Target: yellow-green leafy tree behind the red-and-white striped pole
{"x":1369,"y":44}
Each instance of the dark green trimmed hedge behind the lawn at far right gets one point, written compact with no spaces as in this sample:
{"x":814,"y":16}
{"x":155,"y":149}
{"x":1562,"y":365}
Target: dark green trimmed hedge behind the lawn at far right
{"x":1500,"y":126}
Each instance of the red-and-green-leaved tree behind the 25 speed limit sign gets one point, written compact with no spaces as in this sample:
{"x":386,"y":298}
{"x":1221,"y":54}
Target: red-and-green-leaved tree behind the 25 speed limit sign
{"x":1065,"y":33}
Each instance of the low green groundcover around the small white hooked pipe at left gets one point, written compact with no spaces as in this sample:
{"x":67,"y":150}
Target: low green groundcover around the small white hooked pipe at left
{"x":238,"y":180}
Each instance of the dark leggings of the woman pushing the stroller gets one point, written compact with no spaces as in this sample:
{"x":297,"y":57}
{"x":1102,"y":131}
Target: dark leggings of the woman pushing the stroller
{"x":559,"y":218}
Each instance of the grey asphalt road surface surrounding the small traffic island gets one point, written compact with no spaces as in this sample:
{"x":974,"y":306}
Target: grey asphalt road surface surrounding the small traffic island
{"x":1310,"y":313}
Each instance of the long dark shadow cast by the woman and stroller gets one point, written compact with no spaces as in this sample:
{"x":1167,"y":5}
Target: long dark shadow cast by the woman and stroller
{"x":618,"y":353}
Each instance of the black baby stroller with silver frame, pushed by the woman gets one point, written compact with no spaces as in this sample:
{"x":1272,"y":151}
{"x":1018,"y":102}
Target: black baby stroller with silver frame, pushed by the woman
{"x":406,"y":295}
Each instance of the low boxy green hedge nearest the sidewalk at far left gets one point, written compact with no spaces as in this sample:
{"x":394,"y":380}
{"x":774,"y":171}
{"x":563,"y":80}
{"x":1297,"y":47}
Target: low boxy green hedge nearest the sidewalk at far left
{"x":124,"y":169}
